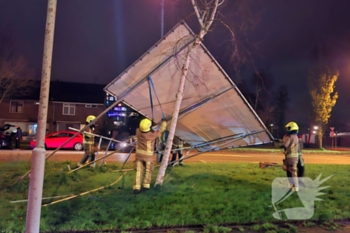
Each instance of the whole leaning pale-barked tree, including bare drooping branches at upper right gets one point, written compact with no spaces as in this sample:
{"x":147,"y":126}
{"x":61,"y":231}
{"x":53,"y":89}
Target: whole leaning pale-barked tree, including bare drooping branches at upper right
{"x":208,"y":12}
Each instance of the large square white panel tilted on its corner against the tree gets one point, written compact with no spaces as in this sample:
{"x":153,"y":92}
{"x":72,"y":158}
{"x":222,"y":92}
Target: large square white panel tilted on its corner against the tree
{"x":212,"y":110}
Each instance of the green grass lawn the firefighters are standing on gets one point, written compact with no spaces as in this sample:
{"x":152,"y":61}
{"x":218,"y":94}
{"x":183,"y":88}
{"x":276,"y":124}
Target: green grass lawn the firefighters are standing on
{"x":195,"y":194}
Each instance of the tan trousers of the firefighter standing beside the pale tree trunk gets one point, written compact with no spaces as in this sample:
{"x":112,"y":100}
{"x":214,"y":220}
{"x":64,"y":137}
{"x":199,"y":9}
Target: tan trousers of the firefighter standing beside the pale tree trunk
{"x":144,"y":168}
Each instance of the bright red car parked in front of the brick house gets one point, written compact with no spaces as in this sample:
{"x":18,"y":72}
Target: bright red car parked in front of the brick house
{"x":56,"y":139}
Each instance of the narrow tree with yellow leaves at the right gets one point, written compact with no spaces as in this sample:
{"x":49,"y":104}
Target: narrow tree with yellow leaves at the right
{"x":321,"y":83}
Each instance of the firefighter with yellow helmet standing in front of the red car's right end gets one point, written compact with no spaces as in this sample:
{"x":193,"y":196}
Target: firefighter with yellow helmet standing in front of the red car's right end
{"x":89,"y":143}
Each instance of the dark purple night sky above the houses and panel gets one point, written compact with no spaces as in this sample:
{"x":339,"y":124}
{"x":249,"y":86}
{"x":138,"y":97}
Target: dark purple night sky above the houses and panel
{"x":95,"y":40}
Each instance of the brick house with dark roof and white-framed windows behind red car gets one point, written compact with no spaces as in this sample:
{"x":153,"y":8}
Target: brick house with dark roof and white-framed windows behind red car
{"x":69,"y":105}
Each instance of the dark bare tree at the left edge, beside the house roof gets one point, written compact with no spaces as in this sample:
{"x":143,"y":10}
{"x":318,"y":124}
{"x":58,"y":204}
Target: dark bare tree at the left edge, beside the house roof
{"x":16,"y":77}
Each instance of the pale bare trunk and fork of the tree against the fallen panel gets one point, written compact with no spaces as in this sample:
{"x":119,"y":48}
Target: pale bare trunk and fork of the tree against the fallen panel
{"x":184,"y":70}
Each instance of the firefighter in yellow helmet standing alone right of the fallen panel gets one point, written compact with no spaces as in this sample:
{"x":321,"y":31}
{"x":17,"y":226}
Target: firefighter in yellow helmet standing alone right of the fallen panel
{"x":290,"y":144}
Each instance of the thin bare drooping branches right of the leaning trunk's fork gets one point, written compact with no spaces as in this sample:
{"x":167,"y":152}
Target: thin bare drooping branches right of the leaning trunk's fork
{"x":240,"y":18}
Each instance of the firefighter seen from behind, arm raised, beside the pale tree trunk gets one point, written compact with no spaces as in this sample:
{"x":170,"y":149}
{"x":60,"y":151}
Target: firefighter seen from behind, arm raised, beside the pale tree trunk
{"x":145,"y":138}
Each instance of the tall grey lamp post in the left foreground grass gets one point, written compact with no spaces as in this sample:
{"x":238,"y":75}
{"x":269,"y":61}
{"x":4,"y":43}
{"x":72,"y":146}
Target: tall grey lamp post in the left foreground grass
{"x":39,"y":152}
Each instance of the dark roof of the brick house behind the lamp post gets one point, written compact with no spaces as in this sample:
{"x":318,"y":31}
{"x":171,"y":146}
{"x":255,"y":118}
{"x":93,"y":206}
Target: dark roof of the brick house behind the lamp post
{"x":69,"y":92}
